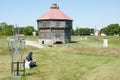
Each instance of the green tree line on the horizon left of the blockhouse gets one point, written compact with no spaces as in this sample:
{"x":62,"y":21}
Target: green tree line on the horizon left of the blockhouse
{"x":6,"y":29}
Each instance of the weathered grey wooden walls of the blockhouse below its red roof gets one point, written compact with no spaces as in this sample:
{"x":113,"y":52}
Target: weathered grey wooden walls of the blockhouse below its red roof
{"x":54,"y":31}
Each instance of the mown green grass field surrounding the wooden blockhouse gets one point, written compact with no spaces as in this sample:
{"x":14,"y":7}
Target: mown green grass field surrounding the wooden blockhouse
{"x":79,"y":60}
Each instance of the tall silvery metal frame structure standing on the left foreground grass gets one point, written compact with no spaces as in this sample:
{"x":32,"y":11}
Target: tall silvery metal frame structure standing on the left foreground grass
{"x":16,"y":47}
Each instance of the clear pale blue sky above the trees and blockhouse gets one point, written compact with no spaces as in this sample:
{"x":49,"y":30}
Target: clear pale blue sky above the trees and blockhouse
{"x":85,"y":13}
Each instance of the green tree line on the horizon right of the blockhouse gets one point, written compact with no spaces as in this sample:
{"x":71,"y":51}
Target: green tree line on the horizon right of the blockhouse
{"x":110,"y":30}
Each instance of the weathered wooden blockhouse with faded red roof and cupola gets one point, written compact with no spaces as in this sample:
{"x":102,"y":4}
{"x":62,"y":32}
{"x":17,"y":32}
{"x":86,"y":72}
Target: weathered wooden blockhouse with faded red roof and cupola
{"x":54,"y":26}
